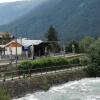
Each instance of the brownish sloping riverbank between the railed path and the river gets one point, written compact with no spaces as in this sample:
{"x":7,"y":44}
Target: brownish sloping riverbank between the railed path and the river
{"x":20,"y":87}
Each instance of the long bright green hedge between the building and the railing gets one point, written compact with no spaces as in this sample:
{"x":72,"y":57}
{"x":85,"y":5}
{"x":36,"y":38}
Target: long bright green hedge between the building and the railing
{"x":48,"y":61}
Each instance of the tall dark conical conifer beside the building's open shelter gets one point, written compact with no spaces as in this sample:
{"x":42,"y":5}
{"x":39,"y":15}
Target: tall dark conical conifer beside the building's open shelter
{"x":53,"y":39}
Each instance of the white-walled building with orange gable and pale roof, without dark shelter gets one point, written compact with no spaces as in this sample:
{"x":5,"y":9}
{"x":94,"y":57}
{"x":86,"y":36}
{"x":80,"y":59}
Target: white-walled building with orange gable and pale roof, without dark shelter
{"x":20,"y":46}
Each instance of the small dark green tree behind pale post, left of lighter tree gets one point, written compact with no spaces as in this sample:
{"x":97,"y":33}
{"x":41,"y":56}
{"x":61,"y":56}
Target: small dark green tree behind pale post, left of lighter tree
{"x":69,"y":47}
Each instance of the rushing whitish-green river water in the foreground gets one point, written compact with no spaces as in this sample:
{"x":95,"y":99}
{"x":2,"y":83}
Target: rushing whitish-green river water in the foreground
{"x":85,"y":89}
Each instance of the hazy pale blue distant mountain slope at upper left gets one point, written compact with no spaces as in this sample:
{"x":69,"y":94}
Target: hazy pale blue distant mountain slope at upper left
{"x":13,"y":10}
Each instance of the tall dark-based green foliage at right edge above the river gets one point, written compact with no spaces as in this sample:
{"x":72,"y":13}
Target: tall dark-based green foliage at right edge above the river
{"x":94,"y":54}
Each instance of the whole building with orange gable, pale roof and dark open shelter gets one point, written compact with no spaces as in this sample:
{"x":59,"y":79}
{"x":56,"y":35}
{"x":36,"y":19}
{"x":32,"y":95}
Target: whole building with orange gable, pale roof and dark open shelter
{"x":25,"y":47}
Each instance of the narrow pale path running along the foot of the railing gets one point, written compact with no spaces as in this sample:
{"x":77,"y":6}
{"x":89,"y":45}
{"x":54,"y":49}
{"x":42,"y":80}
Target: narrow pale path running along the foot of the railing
{"x":50,"y":72}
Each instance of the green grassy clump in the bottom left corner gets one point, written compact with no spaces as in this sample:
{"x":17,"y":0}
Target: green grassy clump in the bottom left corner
{"x":4,"y":94}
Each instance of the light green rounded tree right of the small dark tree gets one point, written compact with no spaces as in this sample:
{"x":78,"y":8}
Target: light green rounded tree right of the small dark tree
{"x":85,"y":43}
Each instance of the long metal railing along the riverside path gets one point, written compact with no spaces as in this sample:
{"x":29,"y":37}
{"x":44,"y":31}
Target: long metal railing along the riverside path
{"x":18,"y":74}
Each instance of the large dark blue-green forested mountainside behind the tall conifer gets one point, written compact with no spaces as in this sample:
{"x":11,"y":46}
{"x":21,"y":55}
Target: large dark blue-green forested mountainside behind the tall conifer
{"x":72,"y":18}
